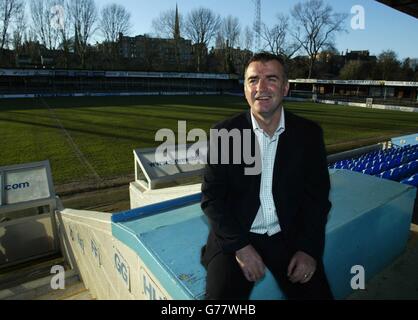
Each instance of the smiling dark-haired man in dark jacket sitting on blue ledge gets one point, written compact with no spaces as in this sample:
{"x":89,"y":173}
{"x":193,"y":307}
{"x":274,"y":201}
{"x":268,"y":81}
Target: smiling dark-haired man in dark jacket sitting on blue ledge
{"x":276,"y":218}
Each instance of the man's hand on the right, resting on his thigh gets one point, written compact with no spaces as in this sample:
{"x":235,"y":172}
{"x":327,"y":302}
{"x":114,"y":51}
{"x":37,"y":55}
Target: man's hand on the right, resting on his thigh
{"x":301,"y":267}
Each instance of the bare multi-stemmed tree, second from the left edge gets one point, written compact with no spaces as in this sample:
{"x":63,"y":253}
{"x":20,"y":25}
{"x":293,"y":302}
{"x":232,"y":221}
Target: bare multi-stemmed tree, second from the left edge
{"x":42,"y":12}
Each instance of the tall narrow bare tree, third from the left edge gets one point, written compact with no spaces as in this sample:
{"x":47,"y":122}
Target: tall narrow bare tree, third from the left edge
{"x":83,"y":15}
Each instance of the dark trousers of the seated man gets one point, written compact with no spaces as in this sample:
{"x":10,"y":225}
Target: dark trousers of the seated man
{"x":226,"y":281}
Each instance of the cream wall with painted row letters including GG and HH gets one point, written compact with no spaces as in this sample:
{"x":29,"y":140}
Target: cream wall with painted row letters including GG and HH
{"x":108,"y":268}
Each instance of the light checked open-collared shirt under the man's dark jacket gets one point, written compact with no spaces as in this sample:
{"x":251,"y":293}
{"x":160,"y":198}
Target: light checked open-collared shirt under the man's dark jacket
{"x":266,"y":220}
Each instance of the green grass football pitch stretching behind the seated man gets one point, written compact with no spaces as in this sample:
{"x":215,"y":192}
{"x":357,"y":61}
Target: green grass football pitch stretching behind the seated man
{"x":87,"y":138}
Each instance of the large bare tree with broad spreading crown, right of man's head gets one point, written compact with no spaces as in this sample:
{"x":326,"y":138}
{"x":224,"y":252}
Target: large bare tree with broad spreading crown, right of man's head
{"x":315,"y":25}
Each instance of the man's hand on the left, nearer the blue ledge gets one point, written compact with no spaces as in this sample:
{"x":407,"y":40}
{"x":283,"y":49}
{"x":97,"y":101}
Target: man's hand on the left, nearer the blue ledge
{"x":251,"y":263}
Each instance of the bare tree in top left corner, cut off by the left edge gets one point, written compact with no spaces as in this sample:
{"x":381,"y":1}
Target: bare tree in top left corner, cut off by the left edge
{"x":9,"y":9}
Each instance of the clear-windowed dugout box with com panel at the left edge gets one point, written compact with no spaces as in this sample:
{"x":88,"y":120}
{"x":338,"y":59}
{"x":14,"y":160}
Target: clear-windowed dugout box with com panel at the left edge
{"x":31,"y":233}
